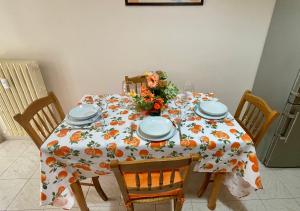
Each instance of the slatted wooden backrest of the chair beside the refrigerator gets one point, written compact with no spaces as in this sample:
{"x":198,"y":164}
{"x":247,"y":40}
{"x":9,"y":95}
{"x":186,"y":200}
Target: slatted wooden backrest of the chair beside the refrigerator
{"x":255,"y":116}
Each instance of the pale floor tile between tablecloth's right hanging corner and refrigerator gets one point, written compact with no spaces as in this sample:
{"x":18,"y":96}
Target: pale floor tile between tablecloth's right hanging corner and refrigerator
{"x":273,"y":187}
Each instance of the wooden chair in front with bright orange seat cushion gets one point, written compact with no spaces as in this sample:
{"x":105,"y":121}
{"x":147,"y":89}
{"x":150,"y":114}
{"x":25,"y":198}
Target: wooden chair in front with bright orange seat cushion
{"x":153,"y":180}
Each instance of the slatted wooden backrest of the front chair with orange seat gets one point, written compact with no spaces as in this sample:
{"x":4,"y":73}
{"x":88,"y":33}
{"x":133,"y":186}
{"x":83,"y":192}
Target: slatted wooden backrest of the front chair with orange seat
{"x":159,"y":167}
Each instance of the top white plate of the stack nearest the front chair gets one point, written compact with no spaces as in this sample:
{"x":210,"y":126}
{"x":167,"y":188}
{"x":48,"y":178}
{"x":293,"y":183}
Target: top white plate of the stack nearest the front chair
{"x":155,"y":126}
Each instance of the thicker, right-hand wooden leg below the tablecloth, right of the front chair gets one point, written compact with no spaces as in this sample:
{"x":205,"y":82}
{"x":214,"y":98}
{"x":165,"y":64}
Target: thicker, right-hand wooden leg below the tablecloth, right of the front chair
{"x":218,"y":180}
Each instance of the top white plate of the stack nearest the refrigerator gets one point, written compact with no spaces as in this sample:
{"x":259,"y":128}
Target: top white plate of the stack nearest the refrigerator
{"x":213,"y":108}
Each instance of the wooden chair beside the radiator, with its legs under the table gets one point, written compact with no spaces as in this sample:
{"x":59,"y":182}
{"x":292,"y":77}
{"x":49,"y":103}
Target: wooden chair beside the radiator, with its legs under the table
{"x":39,"y":120}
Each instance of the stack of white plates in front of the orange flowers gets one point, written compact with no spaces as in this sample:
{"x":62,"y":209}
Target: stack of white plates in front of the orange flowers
{"x":156,"y":128}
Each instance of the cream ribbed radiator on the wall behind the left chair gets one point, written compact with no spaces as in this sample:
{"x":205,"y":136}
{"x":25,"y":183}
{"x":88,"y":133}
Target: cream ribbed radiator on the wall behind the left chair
{"x":21,"y":84}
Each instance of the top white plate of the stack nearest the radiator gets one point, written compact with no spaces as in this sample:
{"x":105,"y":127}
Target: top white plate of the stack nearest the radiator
{"x":83,"y":112}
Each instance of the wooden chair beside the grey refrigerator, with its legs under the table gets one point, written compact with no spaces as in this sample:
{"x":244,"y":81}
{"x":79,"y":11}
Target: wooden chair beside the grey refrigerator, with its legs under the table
{"x":255,"y":116}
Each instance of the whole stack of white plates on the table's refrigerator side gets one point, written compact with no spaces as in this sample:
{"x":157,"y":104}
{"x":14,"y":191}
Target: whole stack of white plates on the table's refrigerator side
{"x":211,"y":110}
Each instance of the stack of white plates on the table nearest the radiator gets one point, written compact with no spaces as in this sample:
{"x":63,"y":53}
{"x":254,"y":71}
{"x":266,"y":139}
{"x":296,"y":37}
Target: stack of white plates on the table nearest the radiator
{"x":83,"y":114}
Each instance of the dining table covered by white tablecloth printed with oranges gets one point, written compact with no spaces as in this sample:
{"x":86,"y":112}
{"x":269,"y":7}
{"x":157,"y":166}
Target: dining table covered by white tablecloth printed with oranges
{"x":72,"y":154}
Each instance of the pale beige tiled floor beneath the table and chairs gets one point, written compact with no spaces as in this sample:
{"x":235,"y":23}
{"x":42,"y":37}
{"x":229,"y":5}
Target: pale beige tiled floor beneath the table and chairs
{"x":19,"y":187}
